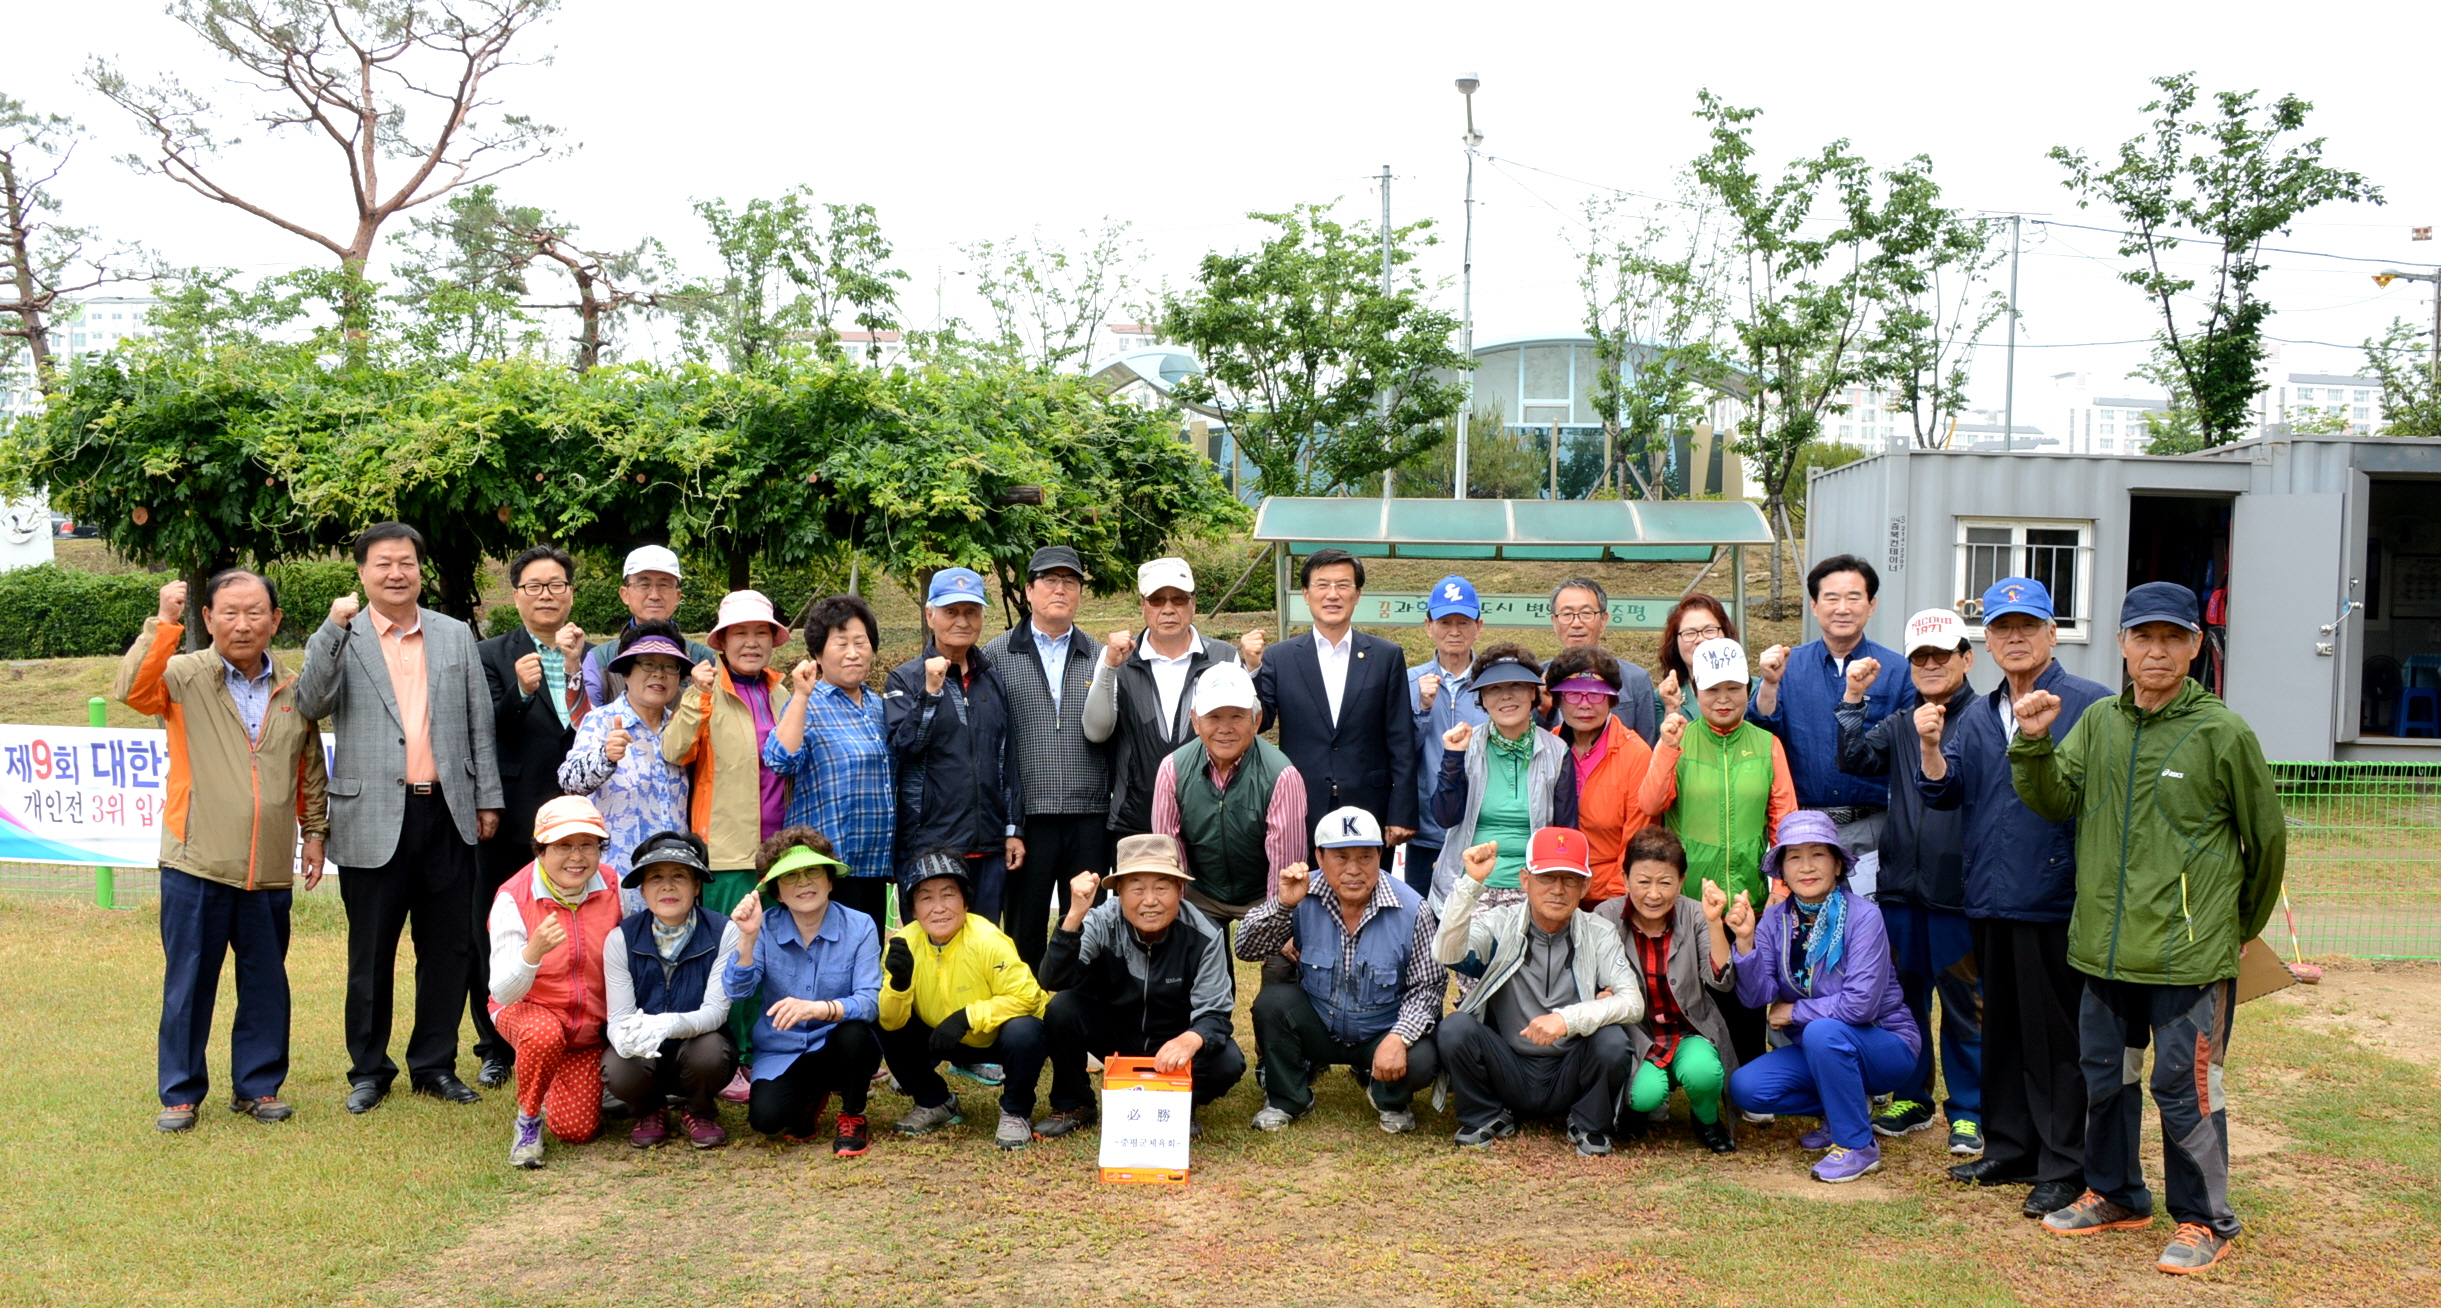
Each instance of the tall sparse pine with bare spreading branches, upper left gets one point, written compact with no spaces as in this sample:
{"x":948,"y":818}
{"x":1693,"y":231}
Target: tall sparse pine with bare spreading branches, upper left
{"x":380,"y":82}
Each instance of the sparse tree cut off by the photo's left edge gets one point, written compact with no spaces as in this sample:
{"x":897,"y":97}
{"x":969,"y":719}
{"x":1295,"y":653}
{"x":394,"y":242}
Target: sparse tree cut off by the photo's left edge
{"x":40,"y":257}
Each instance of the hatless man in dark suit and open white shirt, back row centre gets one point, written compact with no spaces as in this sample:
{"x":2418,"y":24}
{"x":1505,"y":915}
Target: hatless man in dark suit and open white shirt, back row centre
{"x":1341,"y":702}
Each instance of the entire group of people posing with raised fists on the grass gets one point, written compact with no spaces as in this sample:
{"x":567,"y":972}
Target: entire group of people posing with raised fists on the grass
{"x":663,"y":872}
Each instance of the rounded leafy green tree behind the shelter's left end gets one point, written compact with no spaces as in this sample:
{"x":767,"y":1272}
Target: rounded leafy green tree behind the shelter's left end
{"x":1322,"y":377}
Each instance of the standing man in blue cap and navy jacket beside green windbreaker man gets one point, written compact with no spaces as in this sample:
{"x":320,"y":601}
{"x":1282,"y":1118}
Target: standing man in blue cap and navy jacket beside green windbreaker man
{"x":2020,"y":889}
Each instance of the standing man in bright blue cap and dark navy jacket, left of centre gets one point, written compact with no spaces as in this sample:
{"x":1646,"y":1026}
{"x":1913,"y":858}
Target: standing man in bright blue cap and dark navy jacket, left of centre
{"x":948,"y":721}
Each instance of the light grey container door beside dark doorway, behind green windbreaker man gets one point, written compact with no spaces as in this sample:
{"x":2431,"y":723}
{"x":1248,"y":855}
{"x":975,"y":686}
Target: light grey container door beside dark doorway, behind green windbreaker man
{"x":2286,"y":592}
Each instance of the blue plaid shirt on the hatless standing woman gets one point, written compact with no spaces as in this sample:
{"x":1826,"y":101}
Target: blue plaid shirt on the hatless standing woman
{"x":841,"y":782}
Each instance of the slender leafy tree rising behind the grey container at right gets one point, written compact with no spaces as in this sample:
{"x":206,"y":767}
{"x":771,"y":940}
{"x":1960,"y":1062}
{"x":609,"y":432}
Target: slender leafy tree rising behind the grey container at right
{"x":2235,"y":179}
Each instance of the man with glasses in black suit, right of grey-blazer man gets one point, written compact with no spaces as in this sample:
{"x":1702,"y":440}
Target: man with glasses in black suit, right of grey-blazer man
{"x":538,"y":692}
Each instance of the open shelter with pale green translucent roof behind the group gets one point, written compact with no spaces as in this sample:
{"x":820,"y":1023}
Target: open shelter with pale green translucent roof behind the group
{"x":1524,"y":531}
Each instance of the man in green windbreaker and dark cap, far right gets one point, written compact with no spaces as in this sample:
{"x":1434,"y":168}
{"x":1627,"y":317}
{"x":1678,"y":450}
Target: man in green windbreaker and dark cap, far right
{"x":2181,"y":846}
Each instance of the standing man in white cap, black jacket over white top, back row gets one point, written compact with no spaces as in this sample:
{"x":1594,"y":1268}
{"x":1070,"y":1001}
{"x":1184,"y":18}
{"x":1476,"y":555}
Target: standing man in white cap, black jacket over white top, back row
{"x":1144,"y":689}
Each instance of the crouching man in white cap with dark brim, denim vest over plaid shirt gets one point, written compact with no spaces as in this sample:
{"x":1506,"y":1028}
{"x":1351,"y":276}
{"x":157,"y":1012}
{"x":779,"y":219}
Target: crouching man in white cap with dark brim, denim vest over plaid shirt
{"x":1368,"y":990}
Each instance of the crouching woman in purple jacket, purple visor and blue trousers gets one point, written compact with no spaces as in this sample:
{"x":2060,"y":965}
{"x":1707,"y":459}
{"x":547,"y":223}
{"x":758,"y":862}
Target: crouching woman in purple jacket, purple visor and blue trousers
{"x":1820,"y":968}
